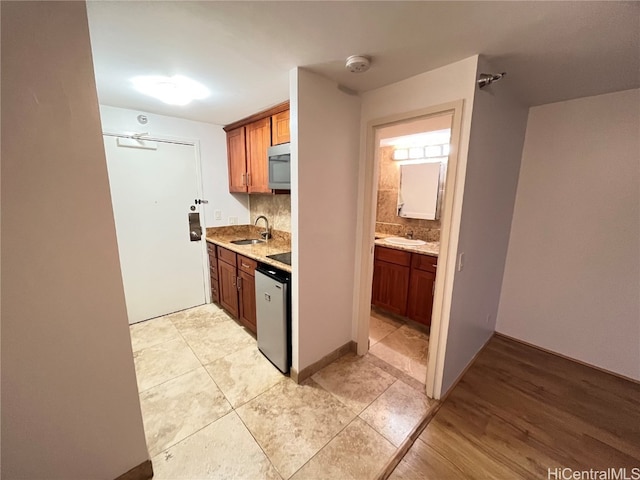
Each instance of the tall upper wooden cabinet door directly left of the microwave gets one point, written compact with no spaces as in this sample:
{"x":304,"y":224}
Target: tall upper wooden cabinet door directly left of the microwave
{"x":258,"y":136}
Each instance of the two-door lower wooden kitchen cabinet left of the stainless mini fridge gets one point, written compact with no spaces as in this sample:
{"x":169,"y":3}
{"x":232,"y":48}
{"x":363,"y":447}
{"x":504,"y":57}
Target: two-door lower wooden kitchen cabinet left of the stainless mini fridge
{"x":237,"y":287}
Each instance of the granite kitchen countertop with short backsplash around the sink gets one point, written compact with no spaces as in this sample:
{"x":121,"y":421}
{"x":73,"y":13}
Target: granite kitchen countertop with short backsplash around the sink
{"x":279,"y":243}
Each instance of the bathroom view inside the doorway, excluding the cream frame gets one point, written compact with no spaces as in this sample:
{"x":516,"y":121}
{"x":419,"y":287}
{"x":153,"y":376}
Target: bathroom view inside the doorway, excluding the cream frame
{"x":412,"y":166}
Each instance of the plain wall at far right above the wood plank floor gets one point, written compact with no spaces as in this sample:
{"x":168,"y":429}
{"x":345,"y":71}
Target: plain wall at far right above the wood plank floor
{"x":572,"y":275}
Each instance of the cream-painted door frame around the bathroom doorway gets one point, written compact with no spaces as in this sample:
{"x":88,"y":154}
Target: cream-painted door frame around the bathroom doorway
{"x":446,"y":260}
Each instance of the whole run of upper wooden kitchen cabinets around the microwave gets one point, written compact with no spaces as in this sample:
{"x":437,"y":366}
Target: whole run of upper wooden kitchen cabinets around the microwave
{"x":247,"y":143}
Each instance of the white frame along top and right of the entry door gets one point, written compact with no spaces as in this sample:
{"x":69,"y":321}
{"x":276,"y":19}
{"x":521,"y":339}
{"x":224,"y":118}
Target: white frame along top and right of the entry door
{"x":194,"y":142}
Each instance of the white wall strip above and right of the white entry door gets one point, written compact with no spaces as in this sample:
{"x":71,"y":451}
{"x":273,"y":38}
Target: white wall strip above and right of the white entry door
{"x":212,"y":143}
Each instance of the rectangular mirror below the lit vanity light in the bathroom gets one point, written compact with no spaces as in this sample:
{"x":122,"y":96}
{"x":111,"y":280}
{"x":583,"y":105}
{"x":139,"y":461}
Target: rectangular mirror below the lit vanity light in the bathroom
{"x":420,"y":190}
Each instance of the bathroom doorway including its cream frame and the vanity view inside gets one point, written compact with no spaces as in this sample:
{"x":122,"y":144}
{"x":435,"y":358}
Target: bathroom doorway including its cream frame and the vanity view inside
{"x":410,"y":174}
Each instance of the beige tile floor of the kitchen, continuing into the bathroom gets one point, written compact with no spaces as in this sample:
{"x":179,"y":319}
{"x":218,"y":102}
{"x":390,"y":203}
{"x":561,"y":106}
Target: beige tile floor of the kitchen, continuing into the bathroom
{"x":214,"y":407}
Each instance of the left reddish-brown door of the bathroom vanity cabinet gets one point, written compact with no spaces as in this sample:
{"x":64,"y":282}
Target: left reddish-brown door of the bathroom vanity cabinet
{"x":390,"y":286}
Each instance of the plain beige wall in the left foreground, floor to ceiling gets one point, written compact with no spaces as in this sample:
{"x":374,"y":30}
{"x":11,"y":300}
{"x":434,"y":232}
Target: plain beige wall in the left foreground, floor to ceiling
{"x":70,"y":405}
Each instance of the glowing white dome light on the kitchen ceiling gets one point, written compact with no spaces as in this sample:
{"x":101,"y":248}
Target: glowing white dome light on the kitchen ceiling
{"x":176,"y":90}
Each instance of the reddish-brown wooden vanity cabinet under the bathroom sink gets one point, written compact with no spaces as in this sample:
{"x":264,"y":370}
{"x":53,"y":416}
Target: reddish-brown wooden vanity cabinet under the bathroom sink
{"x":403,"y":283}
